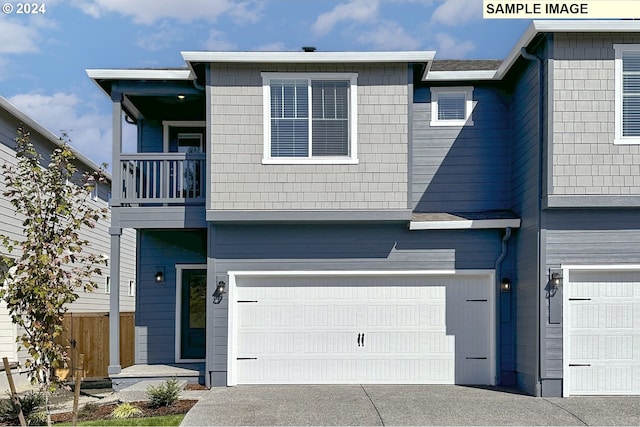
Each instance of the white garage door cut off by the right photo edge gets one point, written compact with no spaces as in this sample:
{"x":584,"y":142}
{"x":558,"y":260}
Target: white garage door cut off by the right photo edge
{"x":603,"y":333}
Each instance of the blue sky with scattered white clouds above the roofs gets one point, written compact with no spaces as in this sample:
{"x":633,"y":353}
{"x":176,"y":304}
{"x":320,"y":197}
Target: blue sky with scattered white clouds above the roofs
{"x":44,"y":55}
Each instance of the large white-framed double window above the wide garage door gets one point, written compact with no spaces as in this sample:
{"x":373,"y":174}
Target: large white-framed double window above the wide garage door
{"x":310,"y":118}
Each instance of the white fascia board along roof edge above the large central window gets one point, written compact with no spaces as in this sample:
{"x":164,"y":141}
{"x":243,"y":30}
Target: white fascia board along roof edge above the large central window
{"x":308,"y":57}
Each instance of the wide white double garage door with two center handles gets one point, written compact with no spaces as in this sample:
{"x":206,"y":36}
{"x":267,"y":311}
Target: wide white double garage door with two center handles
{"x":344,"y":330}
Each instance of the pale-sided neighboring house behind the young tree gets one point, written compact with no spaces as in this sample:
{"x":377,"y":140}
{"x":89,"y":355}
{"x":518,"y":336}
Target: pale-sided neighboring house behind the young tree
{"x":11,"y":225}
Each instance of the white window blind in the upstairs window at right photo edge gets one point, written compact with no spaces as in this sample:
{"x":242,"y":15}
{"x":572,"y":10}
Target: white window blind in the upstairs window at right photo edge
{"x":631,"y":94}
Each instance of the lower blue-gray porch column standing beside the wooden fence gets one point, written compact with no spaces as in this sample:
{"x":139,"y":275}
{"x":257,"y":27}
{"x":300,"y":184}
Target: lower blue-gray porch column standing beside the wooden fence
{"x":114,"y":302}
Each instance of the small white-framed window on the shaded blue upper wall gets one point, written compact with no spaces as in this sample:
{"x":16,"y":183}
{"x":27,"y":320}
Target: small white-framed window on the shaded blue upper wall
{"x":451,"y":106}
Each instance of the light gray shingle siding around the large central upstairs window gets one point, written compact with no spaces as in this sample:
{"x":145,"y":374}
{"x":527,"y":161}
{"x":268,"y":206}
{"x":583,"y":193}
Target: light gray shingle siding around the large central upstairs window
{"x":239,"y":180}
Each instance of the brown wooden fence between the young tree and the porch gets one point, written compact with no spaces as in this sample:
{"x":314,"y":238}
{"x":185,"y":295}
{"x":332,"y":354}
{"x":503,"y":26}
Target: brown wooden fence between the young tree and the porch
{"x":88,"y":334}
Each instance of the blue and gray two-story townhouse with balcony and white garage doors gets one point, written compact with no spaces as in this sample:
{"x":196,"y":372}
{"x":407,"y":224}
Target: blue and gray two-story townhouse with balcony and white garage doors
{"x":381,"y":217}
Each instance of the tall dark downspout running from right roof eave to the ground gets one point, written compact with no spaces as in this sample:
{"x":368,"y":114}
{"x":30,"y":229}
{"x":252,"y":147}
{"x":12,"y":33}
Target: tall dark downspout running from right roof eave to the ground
{"x":530,"y":57}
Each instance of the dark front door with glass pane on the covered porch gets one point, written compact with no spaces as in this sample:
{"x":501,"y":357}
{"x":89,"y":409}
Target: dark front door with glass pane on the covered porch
{"x":193,"y":301}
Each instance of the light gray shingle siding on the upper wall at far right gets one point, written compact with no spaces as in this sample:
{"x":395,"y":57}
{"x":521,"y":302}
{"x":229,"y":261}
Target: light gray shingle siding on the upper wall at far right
{"x":585,"y":159}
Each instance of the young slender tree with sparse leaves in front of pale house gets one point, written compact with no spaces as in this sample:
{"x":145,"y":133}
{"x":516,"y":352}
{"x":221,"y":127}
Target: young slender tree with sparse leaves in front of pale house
{"x":50,"y":263}
